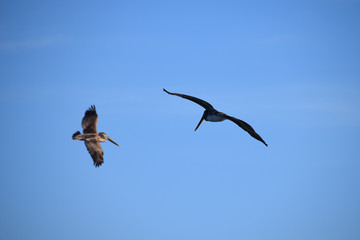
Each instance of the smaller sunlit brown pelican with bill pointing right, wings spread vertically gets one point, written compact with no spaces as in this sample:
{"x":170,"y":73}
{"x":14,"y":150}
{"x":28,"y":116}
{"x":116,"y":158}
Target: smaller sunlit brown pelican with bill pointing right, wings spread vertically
{"x":91,"y":137}
